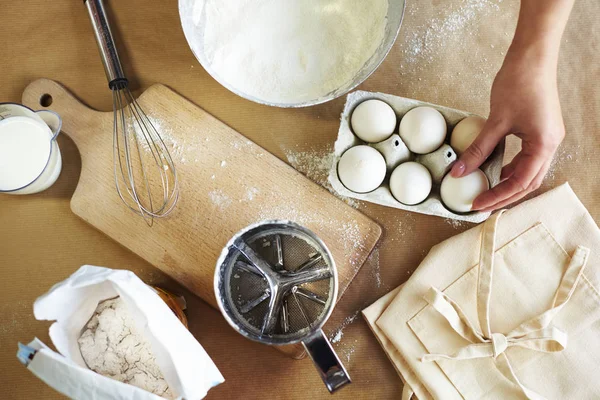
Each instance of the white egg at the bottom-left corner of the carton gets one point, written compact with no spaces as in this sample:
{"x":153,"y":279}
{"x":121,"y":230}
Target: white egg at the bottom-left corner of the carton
{"x":362,"y":169}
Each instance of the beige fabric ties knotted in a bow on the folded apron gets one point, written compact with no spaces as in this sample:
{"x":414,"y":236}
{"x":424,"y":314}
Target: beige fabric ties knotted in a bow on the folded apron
{"x":535,"y":334}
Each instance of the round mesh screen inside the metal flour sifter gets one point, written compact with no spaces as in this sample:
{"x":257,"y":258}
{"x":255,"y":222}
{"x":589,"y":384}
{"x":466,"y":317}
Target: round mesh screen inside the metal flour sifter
{"x":306,"y":304}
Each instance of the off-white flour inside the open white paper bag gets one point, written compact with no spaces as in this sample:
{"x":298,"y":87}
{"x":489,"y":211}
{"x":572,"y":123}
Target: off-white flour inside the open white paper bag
{"x":111,"y":346}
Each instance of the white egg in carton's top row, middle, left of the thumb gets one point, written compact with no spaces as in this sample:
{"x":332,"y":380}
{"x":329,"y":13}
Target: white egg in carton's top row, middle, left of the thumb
{"x":423,"y":129}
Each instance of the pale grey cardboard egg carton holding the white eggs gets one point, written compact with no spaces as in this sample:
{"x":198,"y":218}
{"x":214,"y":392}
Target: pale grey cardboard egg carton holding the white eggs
{"x":433,"y":204}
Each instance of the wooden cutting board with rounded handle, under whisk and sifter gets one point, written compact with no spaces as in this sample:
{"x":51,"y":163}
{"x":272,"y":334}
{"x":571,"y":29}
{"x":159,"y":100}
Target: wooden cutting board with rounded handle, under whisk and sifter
{"x":226,"y":183}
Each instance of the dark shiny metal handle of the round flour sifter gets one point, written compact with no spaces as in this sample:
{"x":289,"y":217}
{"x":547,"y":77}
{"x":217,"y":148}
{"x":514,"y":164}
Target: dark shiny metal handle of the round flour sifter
{"x":328,"y":364}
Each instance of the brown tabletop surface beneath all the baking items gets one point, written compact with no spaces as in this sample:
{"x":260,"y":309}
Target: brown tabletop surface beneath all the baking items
{"x":447,"y":53}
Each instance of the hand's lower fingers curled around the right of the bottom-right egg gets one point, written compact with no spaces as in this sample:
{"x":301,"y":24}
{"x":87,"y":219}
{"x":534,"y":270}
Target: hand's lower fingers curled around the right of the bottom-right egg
{"x":526,"y":170}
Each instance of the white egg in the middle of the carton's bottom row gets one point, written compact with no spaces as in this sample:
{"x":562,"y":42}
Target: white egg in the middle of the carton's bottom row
{"x":410,"y":183}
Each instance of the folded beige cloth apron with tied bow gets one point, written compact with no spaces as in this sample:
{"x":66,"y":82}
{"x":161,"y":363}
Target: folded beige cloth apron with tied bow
{"x":508,"y":309}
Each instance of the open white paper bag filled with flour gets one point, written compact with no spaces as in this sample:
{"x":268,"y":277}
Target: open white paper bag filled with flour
{"x":186,"y":368}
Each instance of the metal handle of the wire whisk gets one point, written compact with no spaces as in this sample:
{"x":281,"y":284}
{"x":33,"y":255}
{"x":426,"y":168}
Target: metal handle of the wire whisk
{"x":106,"y":44}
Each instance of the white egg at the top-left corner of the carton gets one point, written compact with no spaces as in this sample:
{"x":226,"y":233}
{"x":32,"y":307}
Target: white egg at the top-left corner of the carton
{"x":373,"y":121}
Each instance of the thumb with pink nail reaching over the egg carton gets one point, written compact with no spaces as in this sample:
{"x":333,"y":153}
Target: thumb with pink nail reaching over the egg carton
{"x":479,"y":150}
